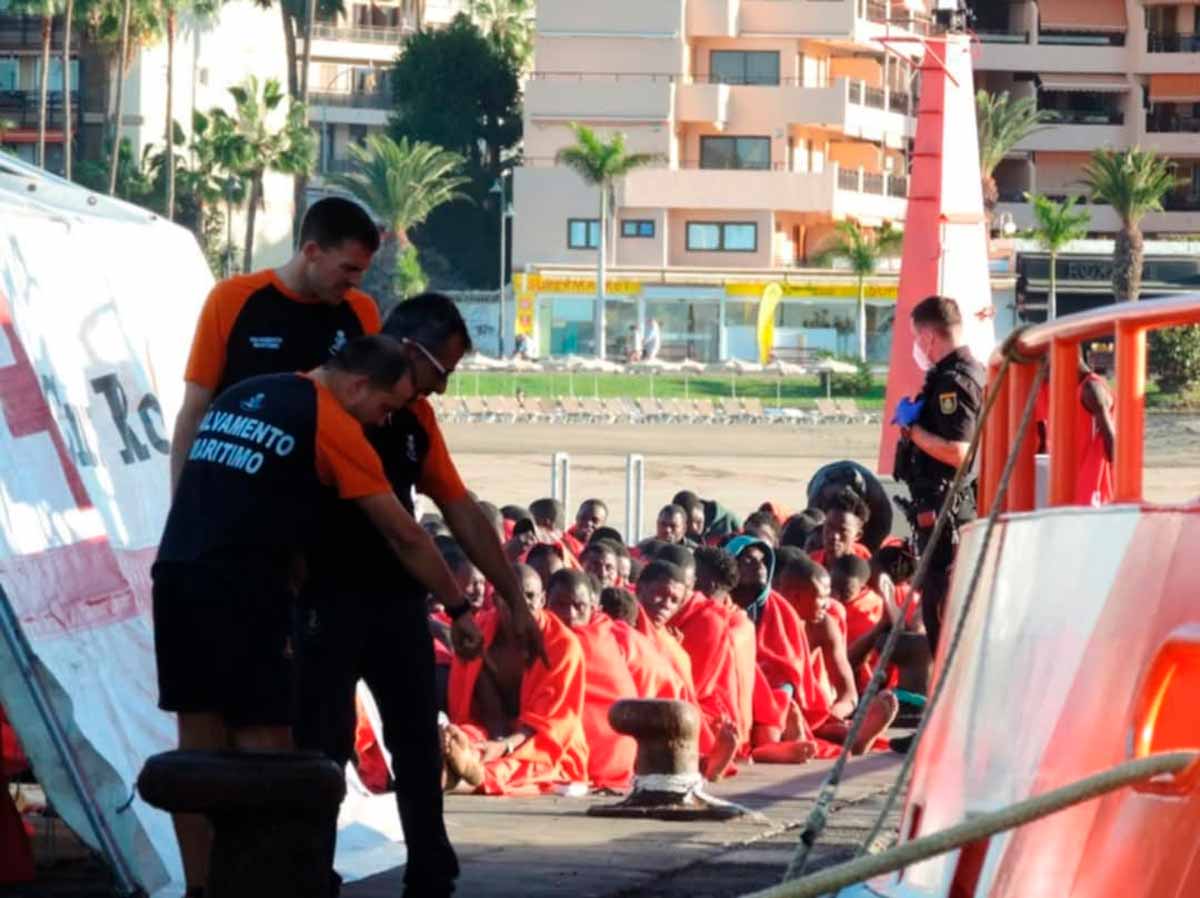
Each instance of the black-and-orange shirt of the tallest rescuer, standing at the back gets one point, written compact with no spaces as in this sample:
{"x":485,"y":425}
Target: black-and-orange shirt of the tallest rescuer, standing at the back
{"x":254,"y":325}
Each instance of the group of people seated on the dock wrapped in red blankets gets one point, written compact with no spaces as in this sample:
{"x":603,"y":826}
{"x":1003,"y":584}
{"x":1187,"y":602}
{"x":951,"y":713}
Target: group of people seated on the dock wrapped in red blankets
{"x":770,"y":628}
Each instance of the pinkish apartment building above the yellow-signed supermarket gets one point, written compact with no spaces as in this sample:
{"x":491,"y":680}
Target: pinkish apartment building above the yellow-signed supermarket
{"x":772,"y":121}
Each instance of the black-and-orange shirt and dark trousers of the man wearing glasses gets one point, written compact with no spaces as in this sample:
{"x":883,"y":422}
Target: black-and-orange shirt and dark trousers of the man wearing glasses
{"x":369,"y":621}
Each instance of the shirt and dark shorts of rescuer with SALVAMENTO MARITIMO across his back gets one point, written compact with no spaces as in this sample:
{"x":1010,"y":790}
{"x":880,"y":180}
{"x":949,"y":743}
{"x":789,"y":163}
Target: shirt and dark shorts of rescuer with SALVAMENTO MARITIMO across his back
{"x":269,"y":454}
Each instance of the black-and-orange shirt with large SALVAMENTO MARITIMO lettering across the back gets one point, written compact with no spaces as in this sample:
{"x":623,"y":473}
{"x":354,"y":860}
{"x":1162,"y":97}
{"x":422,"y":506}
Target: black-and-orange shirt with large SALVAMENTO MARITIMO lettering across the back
{"x":267,"y":456}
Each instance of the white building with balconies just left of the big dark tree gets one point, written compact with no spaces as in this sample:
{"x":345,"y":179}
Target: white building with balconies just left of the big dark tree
{"x":350,"y":94}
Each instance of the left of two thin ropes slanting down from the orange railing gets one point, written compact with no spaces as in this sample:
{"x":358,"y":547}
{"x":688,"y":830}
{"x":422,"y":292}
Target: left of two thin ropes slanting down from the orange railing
{"x":820,"y":815}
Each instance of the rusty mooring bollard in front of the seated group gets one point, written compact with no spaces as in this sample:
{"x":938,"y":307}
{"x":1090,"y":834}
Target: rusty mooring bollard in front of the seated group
{"x":668,"y":785}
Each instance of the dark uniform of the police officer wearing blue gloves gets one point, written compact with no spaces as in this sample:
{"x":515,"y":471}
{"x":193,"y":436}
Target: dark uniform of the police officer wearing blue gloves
{"x":953,"y":396}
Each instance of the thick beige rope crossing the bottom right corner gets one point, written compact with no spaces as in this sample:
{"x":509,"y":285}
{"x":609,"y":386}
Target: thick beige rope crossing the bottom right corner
{"x":981,"y":828}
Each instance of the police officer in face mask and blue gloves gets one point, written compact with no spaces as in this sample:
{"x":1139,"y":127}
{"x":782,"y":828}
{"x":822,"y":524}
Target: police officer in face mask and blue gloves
{"x":937,"y":432}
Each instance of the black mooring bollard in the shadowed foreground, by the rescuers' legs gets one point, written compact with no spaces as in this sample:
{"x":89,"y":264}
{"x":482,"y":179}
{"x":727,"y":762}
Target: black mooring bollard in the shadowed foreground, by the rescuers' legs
{"x":271,"y":817}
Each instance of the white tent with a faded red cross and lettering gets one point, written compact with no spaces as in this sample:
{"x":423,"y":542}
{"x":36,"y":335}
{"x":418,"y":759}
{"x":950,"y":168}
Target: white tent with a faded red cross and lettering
{"x":98,"y":304}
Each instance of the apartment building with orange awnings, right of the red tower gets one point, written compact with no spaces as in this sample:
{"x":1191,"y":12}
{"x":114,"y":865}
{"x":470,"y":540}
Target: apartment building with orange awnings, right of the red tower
{"x":1115,"y":74}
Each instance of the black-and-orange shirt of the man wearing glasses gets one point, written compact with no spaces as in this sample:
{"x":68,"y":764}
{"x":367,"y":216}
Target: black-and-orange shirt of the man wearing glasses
{"x":416,"y":459}
